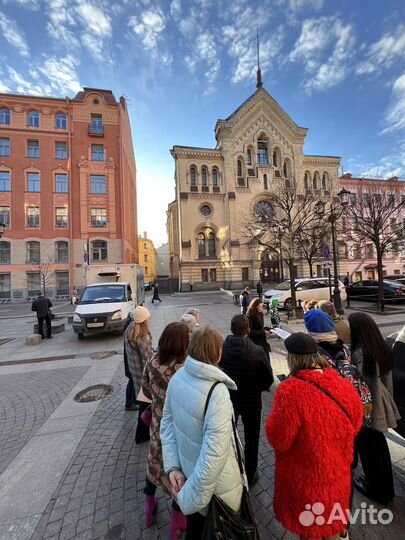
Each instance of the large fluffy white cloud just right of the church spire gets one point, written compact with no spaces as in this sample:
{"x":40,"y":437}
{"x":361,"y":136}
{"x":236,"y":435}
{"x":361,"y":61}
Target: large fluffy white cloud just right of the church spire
{"x":324,"y":47}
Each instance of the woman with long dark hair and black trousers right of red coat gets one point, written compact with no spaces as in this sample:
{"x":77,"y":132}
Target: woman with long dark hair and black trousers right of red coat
{"x":374,"y":360}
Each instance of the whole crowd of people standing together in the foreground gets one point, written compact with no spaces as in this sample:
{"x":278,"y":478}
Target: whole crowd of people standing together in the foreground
{"x":333,"y":407}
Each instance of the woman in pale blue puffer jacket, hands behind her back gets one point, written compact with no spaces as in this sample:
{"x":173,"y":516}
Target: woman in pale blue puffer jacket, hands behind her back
{"x":199,"y":452}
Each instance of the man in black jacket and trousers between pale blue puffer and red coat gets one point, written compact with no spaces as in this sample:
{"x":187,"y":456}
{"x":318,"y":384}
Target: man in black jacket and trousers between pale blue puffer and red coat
{"x":248,"y":365}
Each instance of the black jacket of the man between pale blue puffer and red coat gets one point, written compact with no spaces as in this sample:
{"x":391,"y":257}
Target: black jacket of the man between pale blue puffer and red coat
{"x":248,"y":365}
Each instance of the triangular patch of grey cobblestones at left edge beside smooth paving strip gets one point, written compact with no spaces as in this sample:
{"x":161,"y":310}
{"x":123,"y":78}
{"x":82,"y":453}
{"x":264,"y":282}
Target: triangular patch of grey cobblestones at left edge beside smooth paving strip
{"x":26,"y":401}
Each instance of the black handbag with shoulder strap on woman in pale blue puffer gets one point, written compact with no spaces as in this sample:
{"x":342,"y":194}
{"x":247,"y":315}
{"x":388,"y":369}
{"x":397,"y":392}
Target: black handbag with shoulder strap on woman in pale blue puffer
{"x":223,"y":523}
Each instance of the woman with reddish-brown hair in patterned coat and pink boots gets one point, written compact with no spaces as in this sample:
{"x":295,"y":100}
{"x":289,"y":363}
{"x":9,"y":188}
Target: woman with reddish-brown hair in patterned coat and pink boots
{"x":158,"y":371}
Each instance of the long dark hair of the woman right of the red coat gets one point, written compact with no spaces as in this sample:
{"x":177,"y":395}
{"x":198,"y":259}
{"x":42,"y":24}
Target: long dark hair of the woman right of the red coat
{"x":366,"y":336}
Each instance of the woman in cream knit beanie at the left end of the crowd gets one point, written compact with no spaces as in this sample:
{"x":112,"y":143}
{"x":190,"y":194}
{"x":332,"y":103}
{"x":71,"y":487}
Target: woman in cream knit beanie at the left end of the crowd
{"x":138,"y":350}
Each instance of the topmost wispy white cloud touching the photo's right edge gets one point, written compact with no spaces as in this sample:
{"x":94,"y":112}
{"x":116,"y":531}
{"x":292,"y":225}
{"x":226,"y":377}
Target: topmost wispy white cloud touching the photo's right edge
{"x":384,"y":52}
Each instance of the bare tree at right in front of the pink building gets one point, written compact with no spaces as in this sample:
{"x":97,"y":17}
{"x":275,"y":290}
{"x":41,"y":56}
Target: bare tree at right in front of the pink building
{"x":375,"y":216}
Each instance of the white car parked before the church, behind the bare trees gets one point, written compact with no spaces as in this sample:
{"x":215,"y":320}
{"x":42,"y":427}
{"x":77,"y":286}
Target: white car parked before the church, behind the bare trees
{"x":305,"y":288}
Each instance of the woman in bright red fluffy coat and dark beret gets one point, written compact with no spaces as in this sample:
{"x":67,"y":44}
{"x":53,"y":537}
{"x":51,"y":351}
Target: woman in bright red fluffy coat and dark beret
{"x":312,"y":425}
